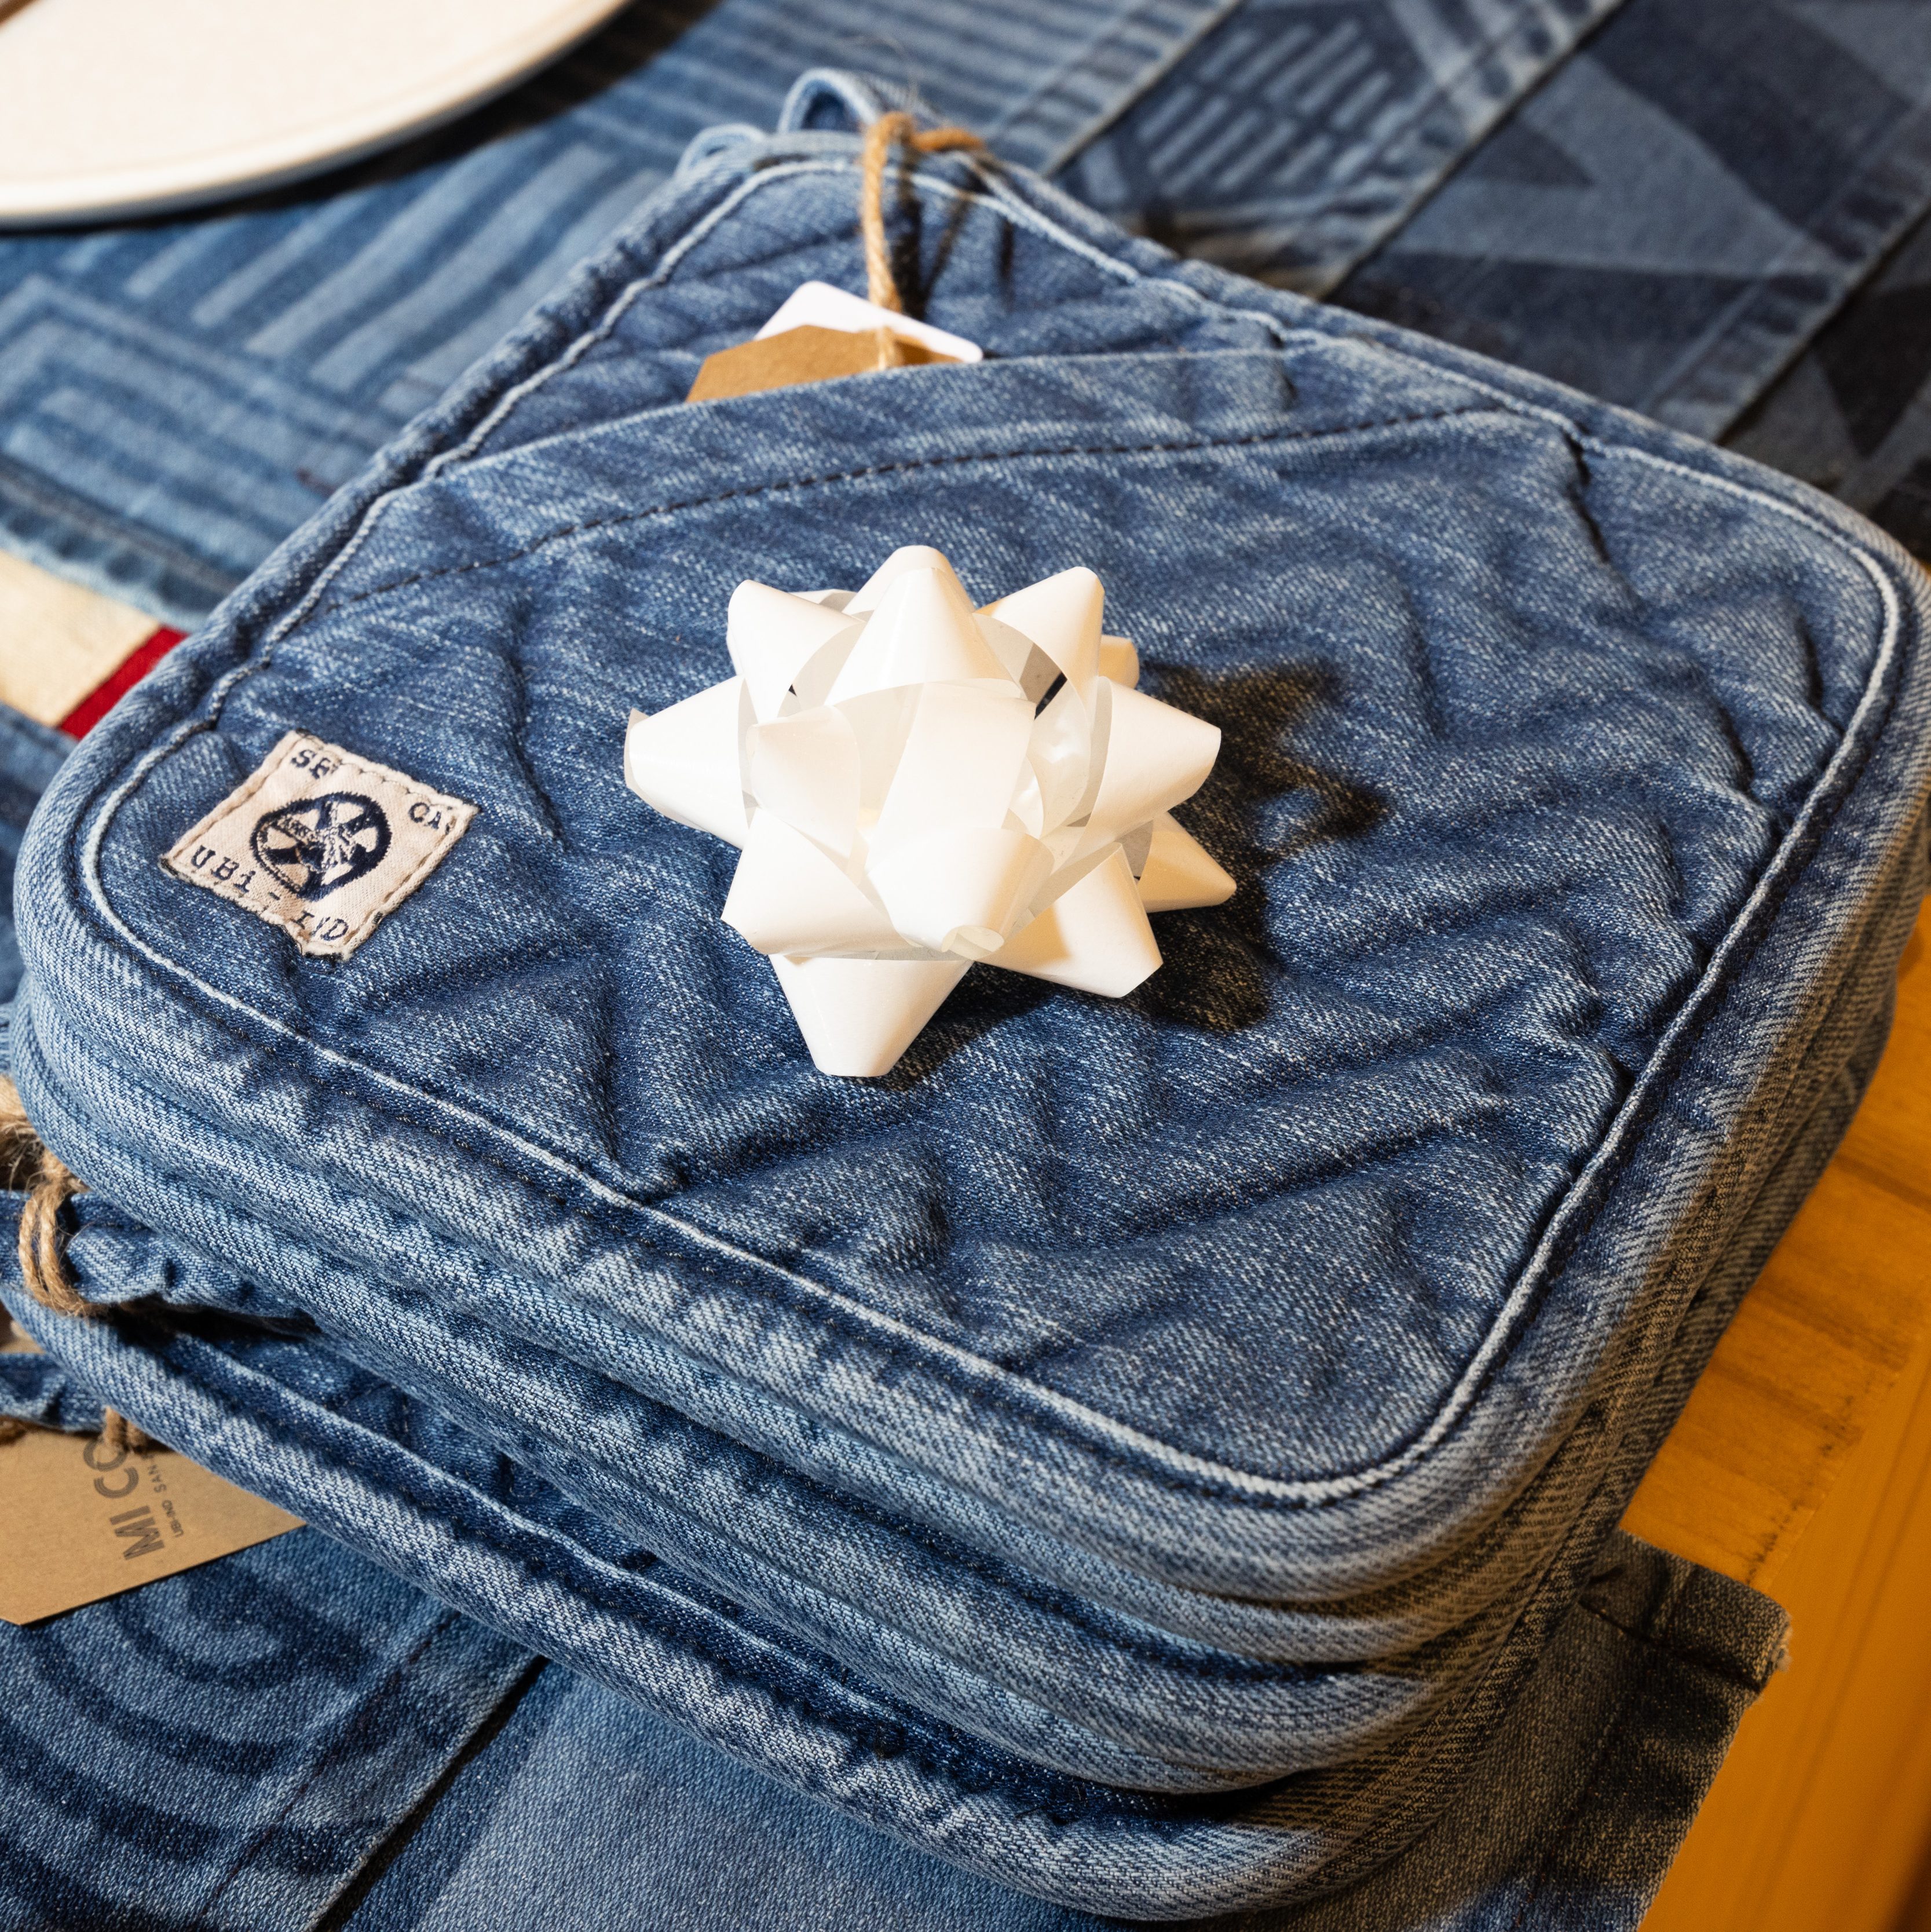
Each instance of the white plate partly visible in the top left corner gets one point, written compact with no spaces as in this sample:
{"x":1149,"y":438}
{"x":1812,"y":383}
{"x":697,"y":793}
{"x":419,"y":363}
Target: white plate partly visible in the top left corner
{"x":128,"y":107}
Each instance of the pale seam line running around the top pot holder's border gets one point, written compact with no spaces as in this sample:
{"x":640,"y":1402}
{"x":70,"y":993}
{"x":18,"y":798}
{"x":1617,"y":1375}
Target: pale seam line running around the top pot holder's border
{"x":1059,"y":1411}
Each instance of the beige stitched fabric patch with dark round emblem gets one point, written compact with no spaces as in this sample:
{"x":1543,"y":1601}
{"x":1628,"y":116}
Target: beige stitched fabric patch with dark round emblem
{"x":322,"y":843}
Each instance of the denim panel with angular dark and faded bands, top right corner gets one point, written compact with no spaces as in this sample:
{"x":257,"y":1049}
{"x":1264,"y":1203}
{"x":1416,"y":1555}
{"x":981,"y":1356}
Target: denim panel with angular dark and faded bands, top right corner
{"x":1683,"y":208}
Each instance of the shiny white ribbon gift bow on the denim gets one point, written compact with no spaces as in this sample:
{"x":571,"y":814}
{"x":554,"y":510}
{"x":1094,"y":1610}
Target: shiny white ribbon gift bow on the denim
{"x":920,"y":785}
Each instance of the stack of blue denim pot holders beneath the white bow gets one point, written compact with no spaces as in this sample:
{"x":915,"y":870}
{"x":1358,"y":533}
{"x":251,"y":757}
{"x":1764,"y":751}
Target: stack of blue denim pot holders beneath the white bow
{"x":1138,"y":1450}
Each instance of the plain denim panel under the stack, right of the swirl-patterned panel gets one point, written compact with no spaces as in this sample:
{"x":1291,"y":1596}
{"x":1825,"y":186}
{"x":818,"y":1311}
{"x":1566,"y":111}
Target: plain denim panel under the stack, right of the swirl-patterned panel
{"x":1569,"y":1817}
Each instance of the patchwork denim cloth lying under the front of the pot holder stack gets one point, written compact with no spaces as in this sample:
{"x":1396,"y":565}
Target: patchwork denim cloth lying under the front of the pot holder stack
{"x":1631,"y":1705}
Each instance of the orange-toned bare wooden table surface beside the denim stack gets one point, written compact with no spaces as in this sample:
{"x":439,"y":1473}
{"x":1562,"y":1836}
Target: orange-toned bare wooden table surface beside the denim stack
{"x":1803,"y":1465}
